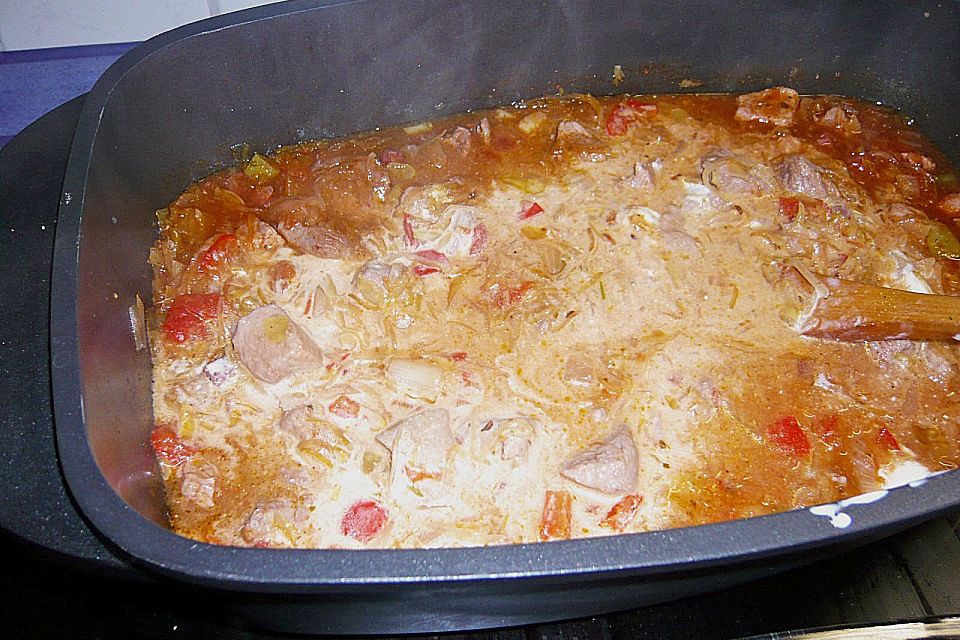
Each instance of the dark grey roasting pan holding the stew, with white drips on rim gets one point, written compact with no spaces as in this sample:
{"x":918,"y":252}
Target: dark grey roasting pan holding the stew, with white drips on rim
{"x":169,"y":112}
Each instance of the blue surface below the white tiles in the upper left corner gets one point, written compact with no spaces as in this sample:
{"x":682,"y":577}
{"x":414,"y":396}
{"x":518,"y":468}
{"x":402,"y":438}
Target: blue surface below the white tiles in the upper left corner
{"x":37,"y":81}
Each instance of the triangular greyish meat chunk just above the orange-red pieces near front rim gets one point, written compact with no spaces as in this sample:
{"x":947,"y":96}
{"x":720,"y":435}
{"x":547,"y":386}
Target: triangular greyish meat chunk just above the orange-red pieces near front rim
{"x":610,"y":467}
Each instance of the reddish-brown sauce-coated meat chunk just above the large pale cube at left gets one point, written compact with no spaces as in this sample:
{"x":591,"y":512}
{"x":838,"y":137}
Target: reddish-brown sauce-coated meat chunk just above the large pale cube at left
{"x":309,"y":227}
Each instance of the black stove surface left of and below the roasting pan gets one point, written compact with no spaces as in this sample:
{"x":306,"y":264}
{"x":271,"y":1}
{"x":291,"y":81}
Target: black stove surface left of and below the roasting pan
{"x":59,"y":575}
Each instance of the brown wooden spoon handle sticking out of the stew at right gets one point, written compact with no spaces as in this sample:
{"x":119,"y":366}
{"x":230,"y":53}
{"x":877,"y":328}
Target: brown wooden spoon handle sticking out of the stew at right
{"x":857,"y":312}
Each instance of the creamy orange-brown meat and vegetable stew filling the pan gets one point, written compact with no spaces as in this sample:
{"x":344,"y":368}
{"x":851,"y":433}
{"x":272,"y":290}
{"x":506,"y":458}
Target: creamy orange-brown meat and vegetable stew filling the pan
{"x":564,"y":318}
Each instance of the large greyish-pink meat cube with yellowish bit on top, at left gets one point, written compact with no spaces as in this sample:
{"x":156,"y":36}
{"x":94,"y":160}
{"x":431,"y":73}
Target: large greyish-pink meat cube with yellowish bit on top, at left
{"x":273,"y":346}
